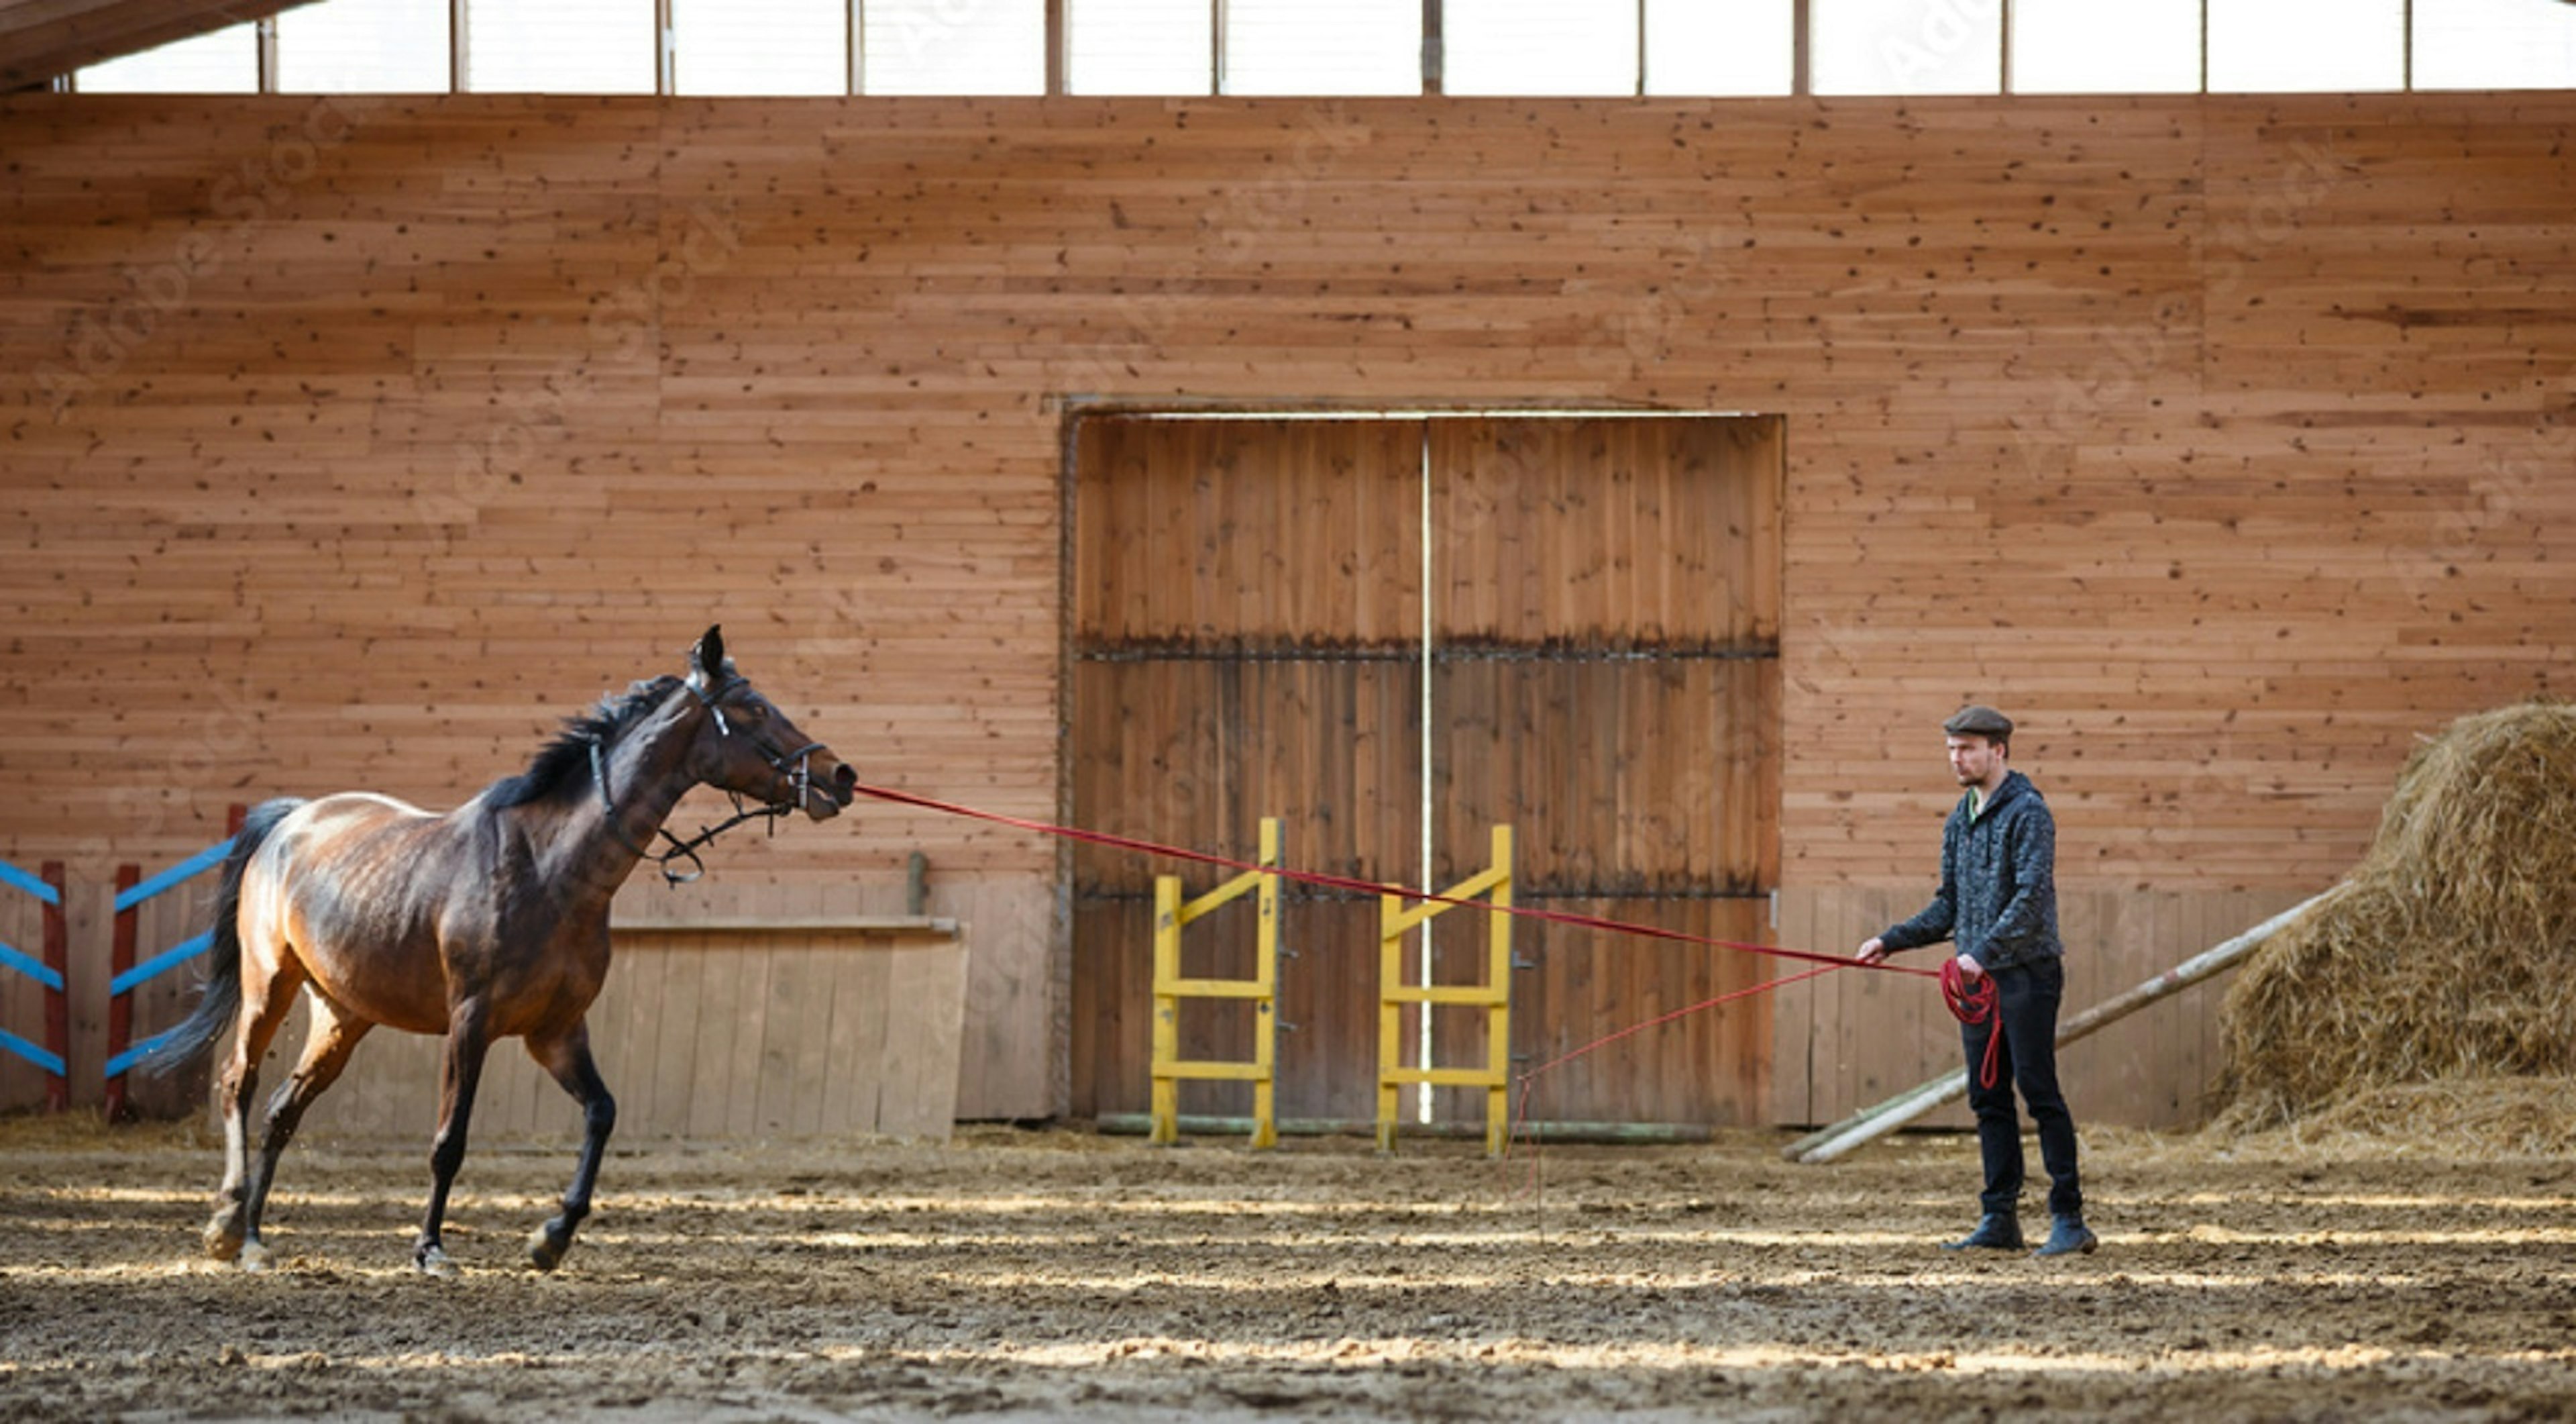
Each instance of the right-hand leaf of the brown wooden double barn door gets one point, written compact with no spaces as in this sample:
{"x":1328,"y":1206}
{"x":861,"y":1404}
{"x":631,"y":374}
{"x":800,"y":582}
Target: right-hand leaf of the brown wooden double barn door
{"x":1606,"y":676}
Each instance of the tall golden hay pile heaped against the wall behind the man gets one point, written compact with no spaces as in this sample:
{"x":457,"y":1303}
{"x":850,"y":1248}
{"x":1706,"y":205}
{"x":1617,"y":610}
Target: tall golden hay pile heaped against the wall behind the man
{"x":2446,"y":957}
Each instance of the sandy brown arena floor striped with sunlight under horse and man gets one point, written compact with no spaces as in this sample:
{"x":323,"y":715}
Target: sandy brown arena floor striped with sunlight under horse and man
{"x":1068,"y":1276}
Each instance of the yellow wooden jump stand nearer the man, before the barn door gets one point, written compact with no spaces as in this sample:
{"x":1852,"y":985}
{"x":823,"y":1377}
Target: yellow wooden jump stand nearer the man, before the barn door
{"x":1495,"y":1078}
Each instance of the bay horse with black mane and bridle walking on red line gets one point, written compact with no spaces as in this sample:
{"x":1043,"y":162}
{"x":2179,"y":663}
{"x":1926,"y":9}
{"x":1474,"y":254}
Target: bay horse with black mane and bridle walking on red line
{"x":483,"y":923}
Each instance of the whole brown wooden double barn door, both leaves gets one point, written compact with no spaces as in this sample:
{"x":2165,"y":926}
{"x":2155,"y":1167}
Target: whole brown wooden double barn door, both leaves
{"x":1248,"y":640}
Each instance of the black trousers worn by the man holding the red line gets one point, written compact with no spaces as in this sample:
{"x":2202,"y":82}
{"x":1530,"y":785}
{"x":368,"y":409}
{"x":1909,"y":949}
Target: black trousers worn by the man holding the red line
{"x":2026,"y":1013}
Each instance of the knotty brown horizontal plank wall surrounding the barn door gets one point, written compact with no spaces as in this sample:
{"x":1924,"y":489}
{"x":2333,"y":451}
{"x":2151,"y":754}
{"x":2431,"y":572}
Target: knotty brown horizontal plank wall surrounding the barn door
{"x":354,"y":442}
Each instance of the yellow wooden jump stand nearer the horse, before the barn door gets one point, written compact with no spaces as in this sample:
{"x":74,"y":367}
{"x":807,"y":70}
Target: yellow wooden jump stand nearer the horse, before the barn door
{"x":1171,"y":915}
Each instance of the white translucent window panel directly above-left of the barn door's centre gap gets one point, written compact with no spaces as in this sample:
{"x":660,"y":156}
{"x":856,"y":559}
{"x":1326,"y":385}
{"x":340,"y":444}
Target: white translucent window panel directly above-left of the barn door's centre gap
{"x":1323,"y":48}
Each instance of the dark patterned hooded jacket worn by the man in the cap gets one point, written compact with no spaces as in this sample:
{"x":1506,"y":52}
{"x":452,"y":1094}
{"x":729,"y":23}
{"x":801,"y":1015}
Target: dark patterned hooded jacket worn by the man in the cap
{"x":1998,"y":882}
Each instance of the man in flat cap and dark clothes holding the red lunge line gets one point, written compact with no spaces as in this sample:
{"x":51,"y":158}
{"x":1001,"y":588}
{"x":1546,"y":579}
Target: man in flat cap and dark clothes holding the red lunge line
{"x":2000,"y":903}
